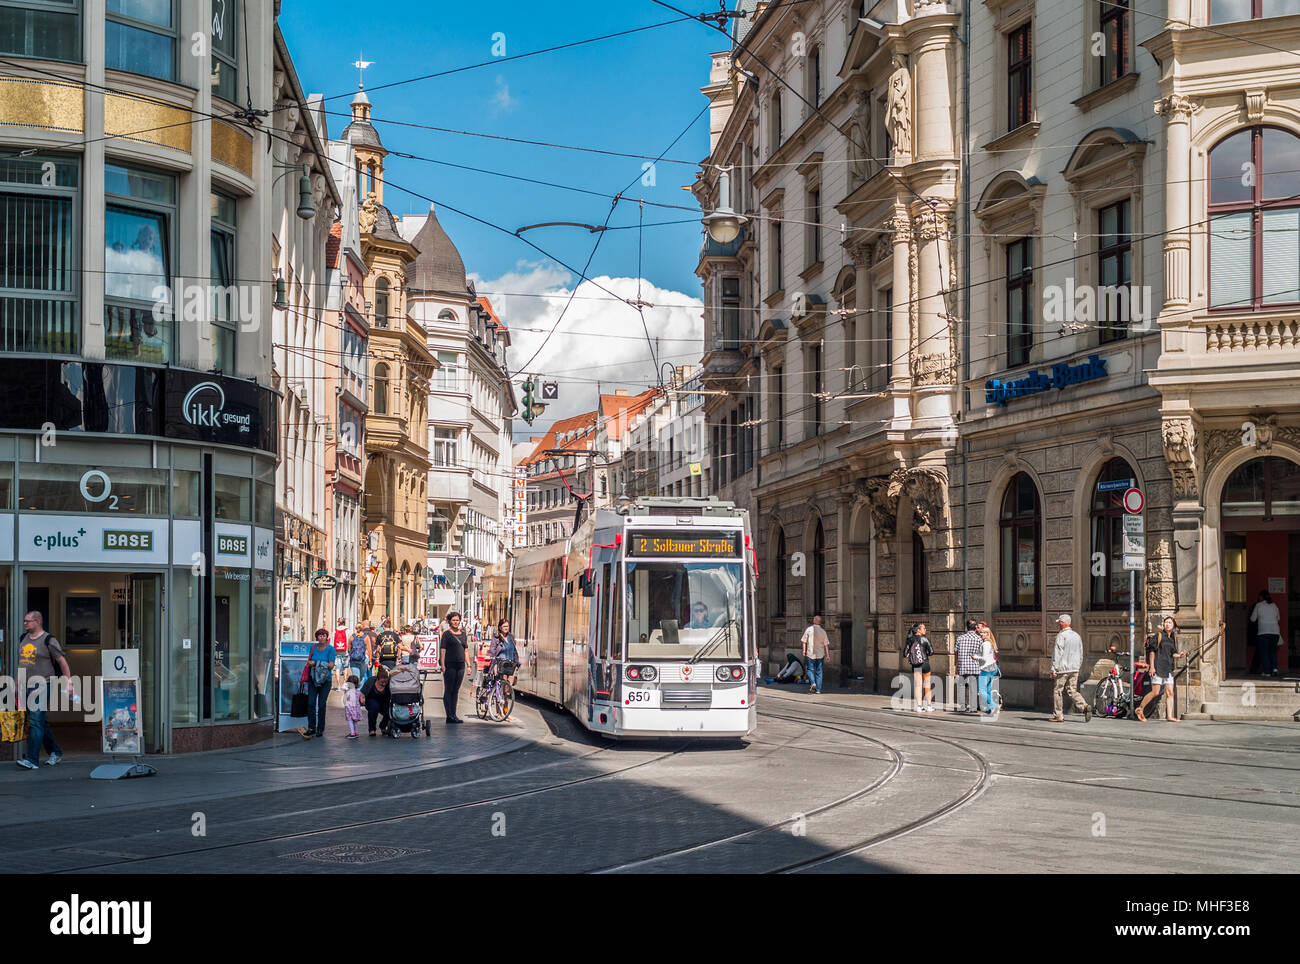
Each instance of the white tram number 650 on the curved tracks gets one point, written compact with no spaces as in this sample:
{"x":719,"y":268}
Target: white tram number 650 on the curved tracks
{"x":643,"y":623}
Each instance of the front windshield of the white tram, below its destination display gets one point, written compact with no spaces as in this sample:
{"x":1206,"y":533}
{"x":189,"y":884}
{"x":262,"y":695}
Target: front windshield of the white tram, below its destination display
{"x":686,"y":610}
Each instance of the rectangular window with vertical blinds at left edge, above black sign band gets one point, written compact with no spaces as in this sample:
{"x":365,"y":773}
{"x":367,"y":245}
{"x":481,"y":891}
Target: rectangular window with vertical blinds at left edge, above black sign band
{"x":40,"y":283}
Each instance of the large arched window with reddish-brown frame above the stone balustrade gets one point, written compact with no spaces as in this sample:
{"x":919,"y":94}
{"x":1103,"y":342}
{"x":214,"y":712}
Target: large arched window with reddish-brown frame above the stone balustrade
{"x":1255,"y":220}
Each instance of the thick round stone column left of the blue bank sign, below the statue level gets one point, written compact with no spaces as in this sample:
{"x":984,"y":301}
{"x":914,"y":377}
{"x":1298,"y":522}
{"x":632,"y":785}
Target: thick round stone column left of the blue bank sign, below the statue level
{"x":933,"y":361}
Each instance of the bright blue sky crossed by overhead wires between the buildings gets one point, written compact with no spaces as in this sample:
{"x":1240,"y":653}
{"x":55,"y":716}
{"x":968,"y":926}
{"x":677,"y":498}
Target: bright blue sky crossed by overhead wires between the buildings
{"x":632,"y":94}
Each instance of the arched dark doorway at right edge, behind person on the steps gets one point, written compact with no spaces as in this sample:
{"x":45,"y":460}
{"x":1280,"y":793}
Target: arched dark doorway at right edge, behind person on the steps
{"x":1262,"y":554}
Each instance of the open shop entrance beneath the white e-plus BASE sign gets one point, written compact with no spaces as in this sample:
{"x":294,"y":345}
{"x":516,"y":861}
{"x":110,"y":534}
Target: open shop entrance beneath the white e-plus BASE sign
{"x":92,"y":611}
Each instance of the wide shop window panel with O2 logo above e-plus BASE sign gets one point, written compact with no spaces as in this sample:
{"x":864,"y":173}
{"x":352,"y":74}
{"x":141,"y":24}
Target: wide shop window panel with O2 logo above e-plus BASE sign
{"x":93,"y":490}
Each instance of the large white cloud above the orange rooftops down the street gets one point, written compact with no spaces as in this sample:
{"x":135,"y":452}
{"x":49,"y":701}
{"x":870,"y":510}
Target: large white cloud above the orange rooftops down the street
{"x":600,"y":338}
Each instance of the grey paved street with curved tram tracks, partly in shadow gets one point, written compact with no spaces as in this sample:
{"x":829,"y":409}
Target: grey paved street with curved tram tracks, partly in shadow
{"x":826,"y":784}
